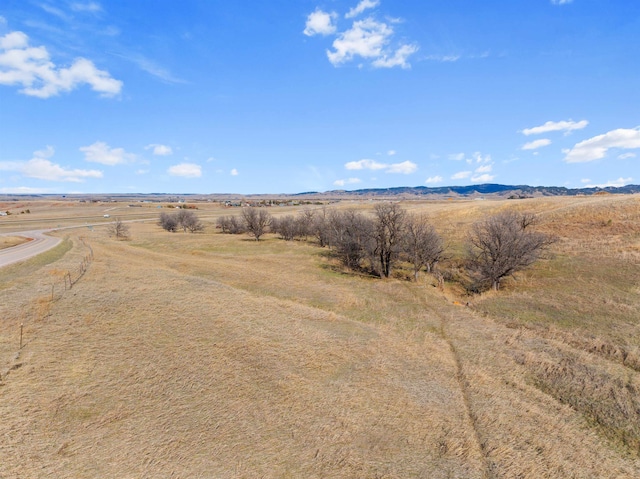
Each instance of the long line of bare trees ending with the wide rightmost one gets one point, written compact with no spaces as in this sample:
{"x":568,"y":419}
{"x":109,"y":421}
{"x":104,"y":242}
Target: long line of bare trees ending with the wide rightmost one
{"x":496,"y":246}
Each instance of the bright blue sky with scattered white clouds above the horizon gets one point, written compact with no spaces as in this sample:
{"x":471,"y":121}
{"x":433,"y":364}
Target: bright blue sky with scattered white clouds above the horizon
{"x":208,"y":96}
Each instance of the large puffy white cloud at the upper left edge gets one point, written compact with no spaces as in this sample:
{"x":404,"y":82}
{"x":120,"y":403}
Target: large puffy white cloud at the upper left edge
{"x":32,"y":69}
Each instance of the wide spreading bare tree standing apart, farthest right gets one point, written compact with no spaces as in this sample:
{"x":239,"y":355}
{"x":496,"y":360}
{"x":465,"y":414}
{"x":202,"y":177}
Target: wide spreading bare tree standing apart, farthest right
{"x":503,"y":244}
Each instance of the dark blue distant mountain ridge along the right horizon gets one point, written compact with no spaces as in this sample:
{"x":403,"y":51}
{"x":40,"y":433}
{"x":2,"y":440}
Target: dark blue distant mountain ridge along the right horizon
{"x":517,"y":191}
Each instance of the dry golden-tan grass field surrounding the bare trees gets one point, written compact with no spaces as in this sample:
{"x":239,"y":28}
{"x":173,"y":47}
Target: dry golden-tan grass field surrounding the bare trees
{"x":215,"y":356}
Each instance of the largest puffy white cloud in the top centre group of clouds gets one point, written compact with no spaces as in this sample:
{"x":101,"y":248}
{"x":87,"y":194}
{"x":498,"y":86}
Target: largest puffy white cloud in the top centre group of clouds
{"x":369,"y":39}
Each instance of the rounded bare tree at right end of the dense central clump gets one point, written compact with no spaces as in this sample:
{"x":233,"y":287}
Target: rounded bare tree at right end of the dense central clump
{"x":422,"y":245}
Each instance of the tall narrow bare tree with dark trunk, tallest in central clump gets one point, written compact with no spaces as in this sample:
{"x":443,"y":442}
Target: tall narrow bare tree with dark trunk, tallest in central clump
{"x":388,"y":233}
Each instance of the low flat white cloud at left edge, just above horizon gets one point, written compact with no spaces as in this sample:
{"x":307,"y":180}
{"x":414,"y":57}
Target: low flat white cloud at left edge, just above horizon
{"x":39,"y":167}
